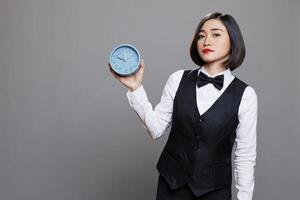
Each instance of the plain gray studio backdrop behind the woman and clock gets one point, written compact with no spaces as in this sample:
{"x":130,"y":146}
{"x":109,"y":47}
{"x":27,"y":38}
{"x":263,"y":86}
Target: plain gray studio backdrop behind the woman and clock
{"x":67,"y":130}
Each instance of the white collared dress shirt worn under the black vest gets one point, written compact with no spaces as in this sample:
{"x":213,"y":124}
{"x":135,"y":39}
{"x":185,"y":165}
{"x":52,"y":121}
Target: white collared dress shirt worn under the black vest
{"x":157,"y":121}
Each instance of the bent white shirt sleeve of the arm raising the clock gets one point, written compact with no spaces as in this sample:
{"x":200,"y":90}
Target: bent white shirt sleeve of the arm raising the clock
{"x":158,"y":120}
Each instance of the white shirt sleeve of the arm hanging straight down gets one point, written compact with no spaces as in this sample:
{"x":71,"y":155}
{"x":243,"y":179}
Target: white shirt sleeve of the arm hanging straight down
{"x":245,"y":152}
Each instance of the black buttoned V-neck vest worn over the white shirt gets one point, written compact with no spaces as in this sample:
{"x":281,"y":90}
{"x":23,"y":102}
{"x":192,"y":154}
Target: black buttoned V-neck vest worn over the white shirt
{"x":198,"y":150}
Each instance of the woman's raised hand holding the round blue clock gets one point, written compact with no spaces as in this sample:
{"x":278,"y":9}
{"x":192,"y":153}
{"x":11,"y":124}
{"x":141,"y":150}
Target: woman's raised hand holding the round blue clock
{"x":131,"y":82}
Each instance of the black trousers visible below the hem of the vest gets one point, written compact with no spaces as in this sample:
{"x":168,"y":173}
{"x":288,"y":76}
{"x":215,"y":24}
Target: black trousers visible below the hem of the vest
{"x":164,"y":192}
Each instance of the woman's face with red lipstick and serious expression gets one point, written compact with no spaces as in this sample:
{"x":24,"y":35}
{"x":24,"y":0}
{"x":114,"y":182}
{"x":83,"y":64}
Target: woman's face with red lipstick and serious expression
{"x":214,"y":43}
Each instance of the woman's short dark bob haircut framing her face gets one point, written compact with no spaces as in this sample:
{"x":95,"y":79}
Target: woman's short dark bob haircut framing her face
{"x":237,"y":46}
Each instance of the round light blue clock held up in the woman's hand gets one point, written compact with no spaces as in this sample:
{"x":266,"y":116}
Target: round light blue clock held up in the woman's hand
{"x":125,"y":60}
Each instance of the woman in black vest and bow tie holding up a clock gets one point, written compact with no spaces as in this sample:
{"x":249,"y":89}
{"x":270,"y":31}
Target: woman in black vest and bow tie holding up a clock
{"x":209,"y":110}
